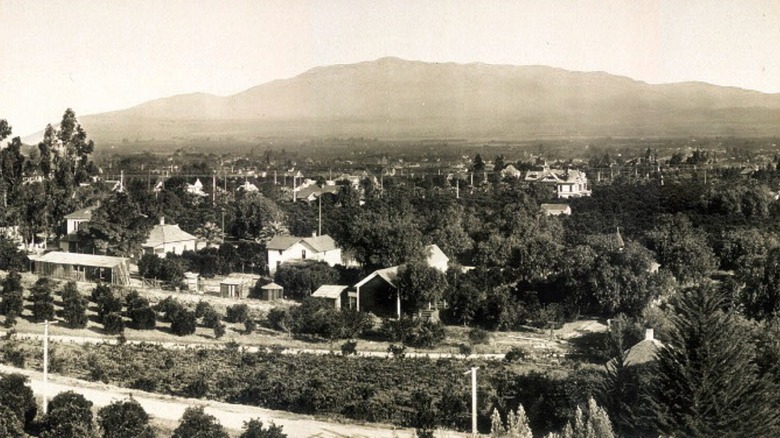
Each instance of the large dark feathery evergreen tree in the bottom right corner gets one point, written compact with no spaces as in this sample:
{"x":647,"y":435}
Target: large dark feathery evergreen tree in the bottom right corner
{"x":708,"y":382}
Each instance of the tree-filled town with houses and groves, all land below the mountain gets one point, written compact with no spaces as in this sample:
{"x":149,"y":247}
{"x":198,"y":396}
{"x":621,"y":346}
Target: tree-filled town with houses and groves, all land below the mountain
{"x":593,"y":287}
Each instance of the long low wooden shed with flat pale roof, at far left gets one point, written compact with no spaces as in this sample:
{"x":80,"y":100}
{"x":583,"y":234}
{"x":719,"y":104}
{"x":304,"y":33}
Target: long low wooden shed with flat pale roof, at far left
{"x":82,"y":267}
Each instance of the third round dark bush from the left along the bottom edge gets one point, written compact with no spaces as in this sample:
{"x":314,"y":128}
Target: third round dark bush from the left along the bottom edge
{"x":125,"y":419}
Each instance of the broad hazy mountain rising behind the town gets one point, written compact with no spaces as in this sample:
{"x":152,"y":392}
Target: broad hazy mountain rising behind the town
{"x":406,"y":99}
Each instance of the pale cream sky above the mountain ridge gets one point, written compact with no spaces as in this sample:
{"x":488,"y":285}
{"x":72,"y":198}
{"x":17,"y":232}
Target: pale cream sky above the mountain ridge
{"x":102,"y":55}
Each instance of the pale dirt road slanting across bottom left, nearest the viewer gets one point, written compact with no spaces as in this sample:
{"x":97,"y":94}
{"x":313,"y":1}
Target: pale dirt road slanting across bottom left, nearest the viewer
{"x":231,"y":416}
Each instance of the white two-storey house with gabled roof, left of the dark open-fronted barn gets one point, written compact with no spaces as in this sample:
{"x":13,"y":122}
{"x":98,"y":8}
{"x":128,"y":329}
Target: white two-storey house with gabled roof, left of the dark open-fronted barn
{"x":284,"y":249}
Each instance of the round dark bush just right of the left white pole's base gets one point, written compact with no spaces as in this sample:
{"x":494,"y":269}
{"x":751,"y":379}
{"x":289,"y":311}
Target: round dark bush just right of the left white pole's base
{"x":69,"y":415}
